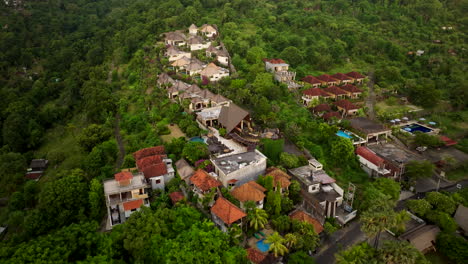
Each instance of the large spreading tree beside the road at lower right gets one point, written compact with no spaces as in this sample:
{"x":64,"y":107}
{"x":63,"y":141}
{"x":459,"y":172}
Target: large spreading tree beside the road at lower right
{"x":377,"y":218}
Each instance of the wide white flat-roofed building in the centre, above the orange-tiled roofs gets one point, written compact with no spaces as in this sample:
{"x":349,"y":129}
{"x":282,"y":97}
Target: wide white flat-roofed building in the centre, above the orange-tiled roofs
{"x":237,"y":169}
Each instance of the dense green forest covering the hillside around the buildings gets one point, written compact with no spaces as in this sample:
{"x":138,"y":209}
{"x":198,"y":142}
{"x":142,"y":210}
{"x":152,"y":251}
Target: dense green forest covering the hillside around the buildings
{"x":73,"y":71}
